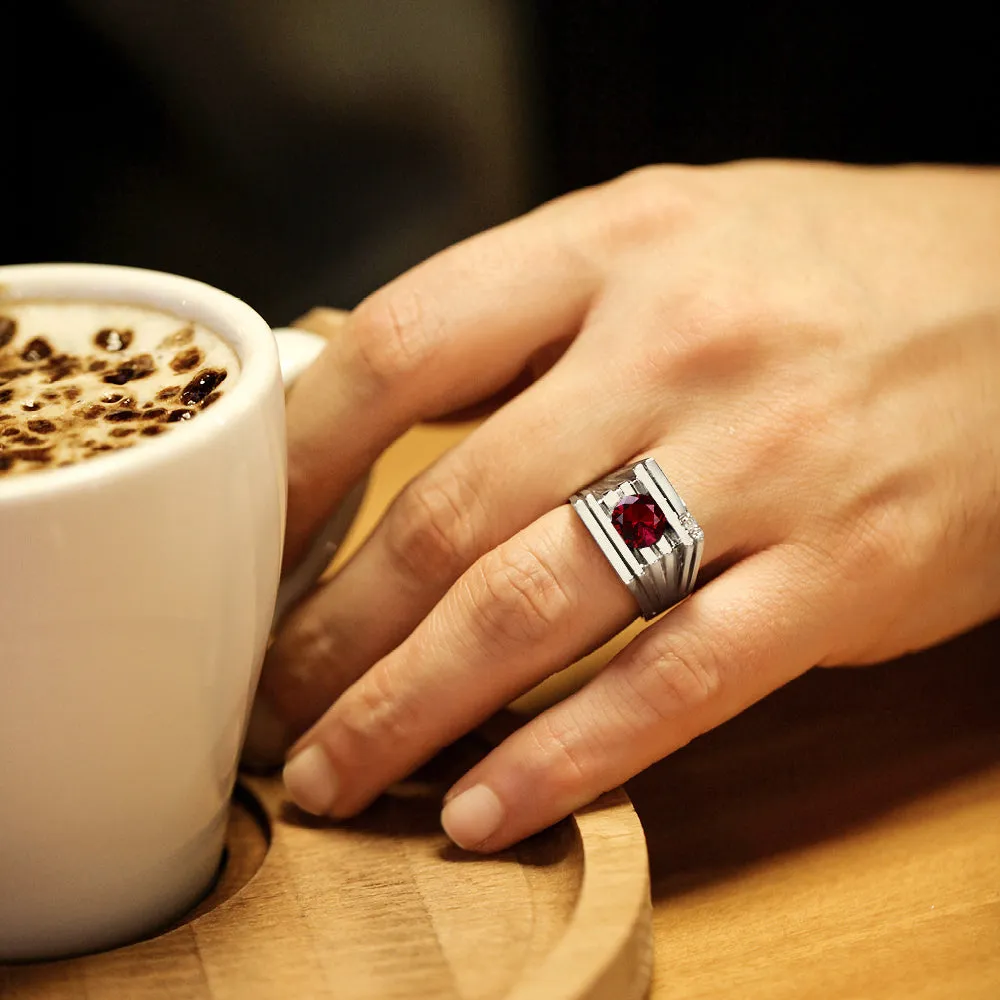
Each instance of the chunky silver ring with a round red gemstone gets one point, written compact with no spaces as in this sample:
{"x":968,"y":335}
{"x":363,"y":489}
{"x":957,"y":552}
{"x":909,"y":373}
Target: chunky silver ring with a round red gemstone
{"x":646,"y":532}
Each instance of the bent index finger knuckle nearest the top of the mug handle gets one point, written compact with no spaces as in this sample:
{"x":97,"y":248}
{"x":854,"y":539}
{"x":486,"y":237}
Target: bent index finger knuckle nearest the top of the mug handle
{"x":392,"y":336}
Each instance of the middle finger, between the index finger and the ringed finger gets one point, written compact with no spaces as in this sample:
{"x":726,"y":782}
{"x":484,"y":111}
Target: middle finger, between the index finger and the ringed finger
{"x":478,"y":495}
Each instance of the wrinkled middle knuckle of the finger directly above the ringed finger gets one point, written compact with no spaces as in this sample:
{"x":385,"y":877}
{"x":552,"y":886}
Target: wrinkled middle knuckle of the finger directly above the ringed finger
{"x":431,"y":532}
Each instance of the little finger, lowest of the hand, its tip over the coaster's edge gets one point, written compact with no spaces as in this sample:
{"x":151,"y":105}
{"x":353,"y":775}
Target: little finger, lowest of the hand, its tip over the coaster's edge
{"x":740,"y":637}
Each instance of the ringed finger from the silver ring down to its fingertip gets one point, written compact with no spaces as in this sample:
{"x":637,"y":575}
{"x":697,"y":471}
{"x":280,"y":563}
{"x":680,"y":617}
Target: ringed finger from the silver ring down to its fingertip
{"x":527,"y":608}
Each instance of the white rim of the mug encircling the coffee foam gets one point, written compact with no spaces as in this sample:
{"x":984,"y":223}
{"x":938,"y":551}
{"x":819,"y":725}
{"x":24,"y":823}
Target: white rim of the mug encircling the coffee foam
{"x":227,"y":316}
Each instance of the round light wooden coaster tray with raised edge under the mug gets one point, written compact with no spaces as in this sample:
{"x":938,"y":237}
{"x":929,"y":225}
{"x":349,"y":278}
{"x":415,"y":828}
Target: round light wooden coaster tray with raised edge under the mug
{"x":384,"y":907}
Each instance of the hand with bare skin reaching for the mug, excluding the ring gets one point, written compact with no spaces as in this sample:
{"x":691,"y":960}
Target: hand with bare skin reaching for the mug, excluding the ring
{"x":810,"y":352}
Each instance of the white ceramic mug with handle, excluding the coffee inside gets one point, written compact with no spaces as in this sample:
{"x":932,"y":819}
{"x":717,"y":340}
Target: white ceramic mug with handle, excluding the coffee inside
{"x":136,"y":597}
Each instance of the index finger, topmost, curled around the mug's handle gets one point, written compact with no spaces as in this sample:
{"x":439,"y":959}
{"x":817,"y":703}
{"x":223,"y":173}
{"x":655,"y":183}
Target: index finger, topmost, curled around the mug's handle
{"x":452,"y":331}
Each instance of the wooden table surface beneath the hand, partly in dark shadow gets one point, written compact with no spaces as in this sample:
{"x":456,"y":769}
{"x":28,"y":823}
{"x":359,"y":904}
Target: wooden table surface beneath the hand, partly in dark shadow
{"x":839,"y":840}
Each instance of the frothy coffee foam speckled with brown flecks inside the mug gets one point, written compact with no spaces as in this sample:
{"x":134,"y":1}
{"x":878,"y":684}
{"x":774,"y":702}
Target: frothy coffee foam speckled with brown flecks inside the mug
{"x":83,"y":379}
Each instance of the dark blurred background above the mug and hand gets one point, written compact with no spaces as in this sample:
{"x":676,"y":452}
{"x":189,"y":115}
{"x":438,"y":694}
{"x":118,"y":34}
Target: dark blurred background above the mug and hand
{"x":157,"y":140}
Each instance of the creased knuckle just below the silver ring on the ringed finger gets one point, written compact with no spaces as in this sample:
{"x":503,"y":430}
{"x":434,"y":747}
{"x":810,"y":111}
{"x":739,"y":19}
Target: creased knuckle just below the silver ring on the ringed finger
{"x":518,"y":596}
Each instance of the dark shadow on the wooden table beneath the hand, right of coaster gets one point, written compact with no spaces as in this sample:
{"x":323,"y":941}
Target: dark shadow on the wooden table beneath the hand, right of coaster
{"x":829,"y":752}
